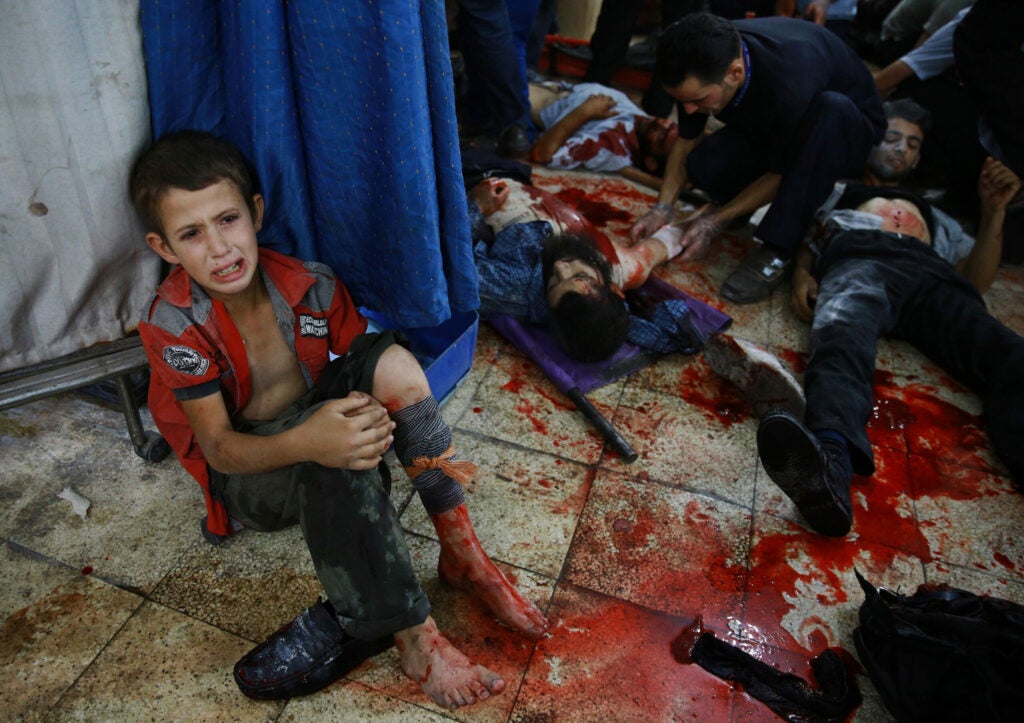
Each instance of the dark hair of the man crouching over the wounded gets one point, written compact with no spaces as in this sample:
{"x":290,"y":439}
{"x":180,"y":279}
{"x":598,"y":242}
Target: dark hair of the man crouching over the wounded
{"x":702,"y":46}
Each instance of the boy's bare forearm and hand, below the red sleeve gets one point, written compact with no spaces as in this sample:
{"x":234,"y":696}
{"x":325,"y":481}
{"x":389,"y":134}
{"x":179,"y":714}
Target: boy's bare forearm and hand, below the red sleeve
{"x":349,"y":434}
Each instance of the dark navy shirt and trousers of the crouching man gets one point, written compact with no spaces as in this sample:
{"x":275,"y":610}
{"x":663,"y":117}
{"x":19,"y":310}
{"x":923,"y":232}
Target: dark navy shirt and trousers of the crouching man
{"x":810,"y":113}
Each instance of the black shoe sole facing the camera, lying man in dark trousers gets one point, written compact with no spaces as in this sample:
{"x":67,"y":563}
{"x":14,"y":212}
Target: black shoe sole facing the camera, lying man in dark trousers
{"x":792,"y":460}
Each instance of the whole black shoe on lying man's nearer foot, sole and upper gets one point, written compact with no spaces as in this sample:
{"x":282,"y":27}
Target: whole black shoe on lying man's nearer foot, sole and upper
{"x":812,"y":475}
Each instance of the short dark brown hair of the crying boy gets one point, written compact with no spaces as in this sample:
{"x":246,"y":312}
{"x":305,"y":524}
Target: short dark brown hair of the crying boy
{"x":190,"y":160}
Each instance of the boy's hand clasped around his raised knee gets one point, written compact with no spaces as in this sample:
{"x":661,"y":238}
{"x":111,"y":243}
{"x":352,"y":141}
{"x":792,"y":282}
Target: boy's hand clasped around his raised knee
{"x":350,"y":434}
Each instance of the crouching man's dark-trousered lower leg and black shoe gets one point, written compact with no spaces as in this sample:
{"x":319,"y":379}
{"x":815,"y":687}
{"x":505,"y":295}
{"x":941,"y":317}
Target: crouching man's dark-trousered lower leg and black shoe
{"x":833,"y":143}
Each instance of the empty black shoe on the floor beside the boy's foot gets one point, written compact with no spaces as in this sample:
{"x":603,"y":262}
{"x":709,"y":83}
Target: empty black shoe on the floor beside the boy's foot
{"x":309,"y":654}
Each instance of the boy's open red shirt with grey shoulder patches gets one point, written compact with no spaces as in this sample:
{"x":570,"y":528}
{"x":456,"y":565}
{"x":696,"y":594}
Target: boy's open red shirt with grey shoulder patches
{"x":195,"y":350}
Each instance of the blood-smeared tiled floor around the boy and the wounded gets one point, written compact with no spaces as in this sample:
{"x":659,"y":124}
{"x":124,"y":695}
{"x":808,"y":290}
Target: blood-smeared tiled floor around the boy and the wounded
{"x":129,"y":615}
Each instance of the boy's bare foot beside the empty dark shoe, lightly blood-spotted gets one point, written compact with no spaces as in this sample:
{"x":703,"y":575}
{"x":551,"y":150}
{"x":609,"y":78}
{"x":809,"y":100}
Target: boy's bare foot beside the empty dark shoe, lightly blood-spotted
{"x":445,"y":674}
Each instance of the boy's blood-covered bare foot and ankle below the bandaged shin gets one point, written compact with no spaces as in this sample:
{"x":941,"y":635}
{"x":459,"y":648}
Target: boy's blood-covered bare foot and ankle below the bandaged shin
{"x":464,"y":565}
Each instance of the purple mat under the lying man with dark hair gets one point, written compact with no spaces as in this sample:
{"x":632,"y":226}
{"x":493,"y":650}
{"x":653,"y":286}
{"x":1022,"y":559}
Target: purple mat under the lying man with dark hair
{"x":537,"y":343}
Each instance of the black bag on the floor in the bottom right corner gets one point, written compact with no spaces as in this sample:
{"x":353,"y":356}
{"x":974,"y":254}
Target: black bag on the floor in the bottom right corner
{"x":944,"y":654}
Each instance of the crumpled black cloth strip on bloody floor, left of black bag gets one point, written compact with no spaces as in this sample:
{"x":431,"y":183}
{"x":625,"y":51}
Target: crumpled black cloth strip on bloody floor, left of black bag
{"x":793,"y":699}
